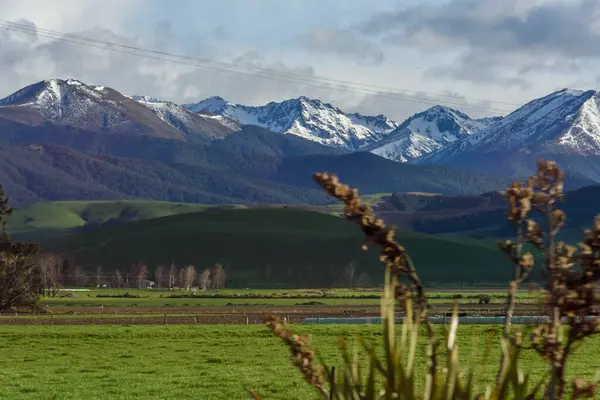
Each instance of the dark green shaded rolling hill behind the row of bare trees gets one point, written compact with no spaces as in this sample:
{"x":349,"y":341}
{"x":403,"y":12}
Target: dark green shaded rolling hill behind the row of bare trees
{"x":302,"y":248}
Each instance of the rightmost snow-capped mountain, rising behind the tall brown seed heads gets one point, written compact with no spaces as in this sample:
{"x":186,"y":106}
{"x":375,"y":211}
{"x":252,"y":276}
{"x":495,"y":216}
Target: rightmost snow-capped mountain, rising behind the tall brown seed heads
{"x":564,"y":125}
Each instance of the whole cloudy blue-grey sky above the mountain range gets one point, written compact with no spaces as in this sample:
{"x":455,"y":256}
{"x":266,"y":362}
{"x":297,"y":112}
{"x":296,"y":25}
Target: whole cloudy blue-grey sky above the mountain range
{"x":484,"y":57}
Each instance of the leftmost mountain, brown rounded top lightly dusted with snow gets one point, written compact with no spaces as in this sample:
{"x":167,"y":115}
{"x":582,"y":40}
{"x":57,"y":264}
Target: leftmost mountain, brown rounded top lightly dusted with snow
{"x":97,"y":108}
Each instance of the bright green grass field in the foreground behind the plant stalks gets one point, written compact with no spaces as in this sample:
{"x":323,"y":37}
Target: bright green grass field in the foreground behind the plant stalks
{"x":195,"y":362}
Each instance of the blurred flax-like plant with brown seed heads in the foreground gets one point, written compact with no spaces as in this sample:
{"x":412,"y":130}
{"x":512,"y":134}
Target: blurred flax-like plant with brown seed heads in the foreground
{"x":570,"y":284}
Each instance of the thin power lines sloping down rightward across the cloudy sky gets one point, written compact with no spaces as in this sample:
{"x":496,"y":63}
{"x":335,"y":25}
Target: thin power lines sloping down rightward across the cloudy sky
{"x":263,"y":73}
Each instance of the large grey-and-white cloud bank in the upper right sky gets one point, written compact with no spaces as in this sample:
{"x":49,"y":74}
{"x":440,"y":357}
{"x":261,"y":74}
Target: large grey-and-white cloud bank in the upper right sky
{"x":508,"y":42}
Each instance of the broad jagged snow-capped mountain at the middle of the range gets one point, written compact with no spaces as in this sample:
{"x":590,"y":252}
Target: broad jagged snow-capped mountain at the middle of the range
{"x":308,"y":118}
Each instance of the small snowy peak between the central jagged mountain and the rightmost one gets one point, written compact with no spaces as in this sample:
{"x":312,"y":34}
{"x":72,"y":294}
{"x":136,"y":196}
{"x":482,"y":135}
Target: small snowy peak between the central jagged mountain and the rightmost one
{"x":428,"y":132}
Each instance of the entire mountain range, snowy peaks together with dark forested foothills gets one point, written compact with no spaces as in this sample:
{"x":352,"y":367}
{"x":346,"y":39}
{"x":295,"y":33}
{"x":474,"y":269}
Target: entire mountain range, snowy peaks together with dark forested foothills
{"x":67,"y":140}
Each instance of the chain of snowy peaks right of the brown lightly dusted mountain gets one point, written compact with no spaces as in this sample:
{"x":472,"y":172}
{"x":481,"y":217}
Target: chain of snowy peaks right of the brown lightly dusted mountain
{"x":565,"y":126}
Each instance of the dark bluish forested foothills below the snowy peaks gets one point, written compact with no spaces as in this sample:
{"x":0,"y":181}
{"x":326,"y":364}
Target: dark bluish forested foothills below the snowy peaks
{"x":254,"y":165}
